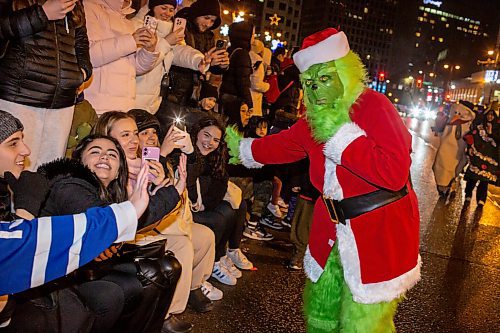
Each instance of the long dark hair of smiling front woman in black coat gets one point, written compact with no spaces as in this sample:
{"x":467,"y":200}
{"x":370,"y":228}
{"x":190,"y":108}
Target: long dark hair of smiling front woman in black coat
{"x":117,"y":188}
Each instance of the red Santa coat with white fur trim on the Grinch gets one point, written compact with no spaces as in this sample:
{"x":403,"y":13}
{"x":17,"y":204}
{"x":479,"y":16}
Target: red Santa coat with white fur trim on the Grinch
{"x":379,"y":249}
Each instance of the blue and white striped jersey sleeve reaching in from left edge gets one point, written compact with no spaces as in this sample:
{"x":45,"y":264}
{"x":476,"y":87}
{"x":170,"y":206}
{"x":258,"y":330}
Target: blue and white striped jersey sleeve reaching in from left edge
{"x":38,"y":251}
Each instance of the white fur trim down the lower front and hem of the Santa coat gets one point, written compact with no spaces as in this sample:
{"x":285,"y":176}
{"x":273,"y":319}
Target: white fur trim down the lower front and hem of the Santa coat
{"x":372,"y":292}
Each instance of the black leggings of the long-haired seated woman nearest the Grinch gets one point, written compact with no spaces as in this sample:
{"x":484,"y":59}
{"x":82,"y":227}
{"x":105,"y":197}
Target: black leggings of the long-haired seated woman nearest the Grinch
{"x":226,"y":223}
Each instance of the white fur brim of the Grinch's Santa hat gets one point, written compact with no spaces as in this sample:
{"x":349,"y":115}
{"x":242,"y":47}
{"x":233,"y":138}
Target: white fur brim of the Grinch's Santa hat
{"x":332,"y":48}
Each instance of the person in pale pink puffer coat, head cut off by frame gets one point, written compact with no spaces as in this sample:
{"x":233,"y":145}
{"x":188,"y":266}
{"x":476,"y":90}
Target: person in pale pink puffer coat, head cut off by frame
{"x":118,"y":52}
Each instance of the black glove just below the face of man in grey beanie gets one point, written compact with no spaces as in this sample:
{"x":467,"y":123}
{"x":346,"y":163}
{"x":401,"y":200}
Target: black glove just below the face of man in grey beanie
{"x":30,"y":190}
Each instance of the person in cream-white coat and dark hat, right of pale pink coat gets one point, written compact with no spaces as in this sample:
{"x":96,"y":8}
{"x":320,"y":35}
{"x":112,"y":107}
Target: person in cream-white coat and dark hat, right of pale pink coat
{"x":172,"y":50}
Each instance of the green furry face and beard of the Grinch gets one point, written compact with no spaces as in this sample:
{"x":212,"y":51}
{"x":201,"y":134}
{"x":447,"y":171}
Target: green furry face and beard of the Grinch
{"x":330,"y":89}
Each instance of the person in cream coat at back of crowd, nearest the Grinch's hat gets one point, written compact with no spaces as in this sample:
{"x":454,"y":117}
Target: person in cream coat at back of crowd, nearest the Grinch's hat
{"x":258,"y":85}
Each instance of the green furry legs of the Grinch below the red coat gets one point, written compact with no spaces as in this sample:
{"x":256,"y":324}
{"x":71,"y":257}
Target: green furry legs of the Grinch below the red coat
{"x":329,"y":306}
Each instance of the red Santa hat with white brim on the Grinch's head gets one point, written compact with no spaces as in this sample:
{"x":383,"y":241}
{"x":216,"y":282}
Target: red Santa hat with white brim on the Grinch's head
{"x":321,"y":47}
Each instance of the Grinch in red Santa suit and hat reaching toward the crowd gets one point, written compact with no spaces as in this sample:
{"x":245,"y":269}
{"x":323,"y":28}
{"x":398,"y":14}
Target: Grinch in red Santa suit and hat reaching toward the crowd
{"x":363,"y":247}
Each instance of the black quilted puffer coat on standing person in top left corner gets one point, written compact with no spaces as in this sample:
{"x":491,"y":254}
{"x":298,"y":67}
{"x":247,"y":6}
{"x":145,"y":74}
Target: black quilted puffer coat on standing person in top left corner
{"x":42,"y":64}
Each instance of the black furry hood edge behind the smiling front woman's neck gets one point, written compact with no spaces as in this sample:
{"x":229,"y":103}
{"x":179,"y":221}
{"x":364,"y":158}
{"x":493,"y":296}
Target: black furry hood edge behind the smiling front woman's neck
{"x":67,"y":168}
